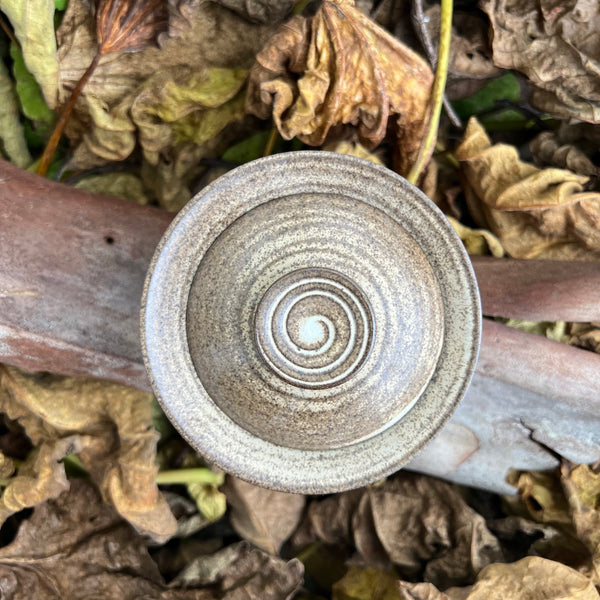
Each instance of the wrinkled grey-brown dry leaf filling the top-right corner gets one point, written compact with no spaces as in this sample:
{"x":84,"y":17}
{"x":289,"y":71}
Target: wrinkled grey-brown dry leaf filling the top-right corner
{"x":554,"y":43}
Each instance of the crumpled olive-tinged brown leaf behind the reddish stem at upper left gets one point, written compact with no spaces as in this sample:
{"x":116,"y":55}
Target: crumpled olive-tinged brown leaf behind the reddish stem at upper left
{"x":174,"y":101}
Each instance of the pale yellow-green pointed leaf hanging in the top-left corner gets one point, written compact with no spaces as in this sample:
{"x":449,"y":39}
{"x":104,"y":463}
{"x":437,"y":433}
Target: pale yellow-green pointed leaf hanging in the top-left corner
{"x":33,"y":24}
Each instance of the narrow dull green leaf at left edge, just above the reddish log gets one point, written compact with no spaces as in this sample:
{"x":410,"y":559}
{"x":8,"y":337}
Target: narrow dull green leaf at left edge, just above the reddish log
{"x":12,"y":137}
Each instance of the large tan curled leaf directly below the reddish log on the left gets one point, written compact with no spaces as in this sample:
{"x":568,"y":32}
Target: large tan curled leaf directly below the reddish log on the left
{"x":107,"y":425}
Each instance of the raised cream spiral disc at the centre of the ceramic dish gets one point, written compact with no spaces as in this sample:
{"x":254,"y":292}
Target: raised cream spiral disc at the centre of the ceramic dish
{"x":314,"y":328}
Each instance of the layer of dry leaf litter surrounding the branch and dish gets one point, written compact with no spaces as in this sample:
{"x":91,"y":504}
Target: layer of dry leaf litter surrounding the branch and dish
{"x":206,"y":83}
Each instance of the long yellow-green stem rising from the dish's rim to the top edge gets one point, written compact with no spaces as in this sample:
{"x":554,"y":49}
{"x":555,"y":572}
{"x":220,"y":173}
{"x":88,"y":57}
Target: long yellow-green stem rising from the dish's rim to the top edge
{"x":437,"y":92}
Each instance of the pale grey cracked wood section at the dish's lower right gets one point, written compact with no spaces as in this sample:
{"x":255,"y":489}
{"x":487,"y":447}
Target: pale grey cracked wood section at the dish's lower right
{"x":530,"y":400}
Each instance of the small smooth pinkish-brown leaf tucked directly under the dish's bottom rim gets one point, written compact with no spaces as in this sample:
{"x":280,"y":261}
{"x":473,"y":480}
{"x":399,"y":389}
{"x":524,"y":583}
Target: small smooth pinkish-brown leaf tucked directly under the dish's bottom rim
{"x":264,"y":517}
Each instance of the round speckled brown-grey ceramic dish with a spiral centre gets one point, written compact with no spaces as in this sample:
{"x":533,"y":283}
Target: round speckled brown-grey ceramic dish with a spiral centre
{"x":310,"y":321}
